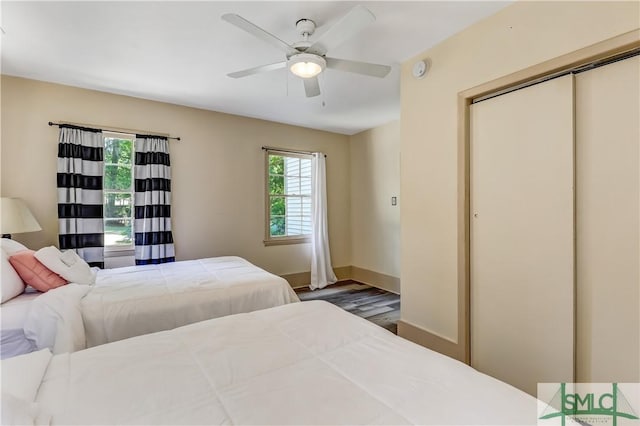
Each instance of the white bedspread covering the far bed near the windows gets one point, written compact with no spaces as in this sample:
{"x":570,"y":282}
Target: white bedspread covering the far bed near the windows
{"x":132,"y":301}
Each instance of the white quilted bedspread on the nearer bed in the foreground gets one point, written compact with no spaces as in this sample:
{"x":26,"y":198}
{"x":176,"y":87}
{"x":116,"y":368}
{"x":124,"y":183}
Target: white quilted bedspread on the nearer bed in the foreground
{"x":306,"y":363}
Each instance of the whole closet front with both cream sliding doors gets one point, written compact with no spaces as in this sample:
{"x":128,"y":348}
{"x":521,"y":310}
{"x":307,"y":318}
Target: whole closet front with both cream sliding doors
{"x":554,"y":231}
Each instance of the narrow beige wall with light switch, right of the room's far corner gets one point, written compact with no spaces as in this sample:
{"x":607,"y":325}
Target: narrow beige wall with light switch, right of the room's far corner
{"x":375,"y":223}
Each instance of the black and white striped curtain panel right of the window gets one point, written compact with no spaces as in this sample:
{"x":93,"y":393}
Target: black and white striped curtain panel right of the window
{"x":153,"y":237}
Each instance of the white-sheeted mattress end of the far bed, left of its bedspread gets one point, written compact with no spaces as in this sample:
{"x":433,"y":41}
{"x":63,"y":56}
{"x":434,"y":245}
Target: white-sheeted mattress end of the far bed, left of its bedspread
{"x":13,"y":314}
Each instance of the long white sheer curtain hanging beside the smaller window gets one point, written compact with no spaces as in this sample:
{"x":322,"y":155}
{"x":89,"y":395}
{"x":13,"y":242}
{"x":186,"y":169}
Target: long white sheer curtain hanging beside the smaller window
{"x":321,"y":270}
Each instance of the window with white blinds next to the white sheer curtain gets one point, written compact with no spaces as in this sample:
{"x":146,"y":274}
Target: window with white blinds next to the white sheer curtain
{"x":288,"y":197}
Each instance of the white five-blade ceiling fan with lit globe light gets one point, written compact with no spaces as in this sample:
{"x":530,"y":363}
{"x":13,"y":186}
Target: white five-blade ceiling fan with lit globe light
{"x":307,"y":59}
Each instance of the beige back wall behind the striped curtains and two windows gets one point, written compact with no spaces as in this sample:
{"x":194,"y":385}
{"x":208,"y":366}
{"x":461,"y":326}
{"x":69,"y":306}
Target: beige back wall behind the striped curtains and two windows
{"x":217,"y":169}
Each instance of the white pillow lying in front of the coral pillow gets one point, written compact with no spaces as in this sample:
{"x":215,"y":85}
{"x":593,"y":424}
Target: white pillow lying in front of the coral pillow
{"x":68,"y":265}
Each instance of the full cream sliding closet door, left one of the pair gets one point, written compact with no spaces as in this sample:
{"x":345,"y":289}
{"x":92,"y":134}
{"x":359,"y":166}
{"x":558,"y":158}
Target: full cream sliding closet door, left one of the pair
{"x":522,"y":235}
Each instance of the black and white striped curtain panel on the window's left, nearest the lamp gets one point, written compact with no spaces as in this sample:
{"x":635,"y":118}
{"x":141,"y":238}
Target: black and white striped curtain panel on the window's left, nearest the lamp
{"x":80,"y":203}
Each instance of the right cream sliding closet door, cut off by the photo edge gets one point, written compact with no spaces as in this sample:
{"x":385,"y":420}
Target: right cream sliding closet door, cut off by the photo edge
{"x":607,"y":215}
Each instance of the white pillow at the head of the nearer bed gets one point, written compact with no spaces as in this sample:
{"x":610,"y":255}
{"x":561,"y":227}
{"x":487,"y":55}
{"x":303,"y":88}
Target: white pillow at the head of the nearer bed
{"x":22,"y":375}
